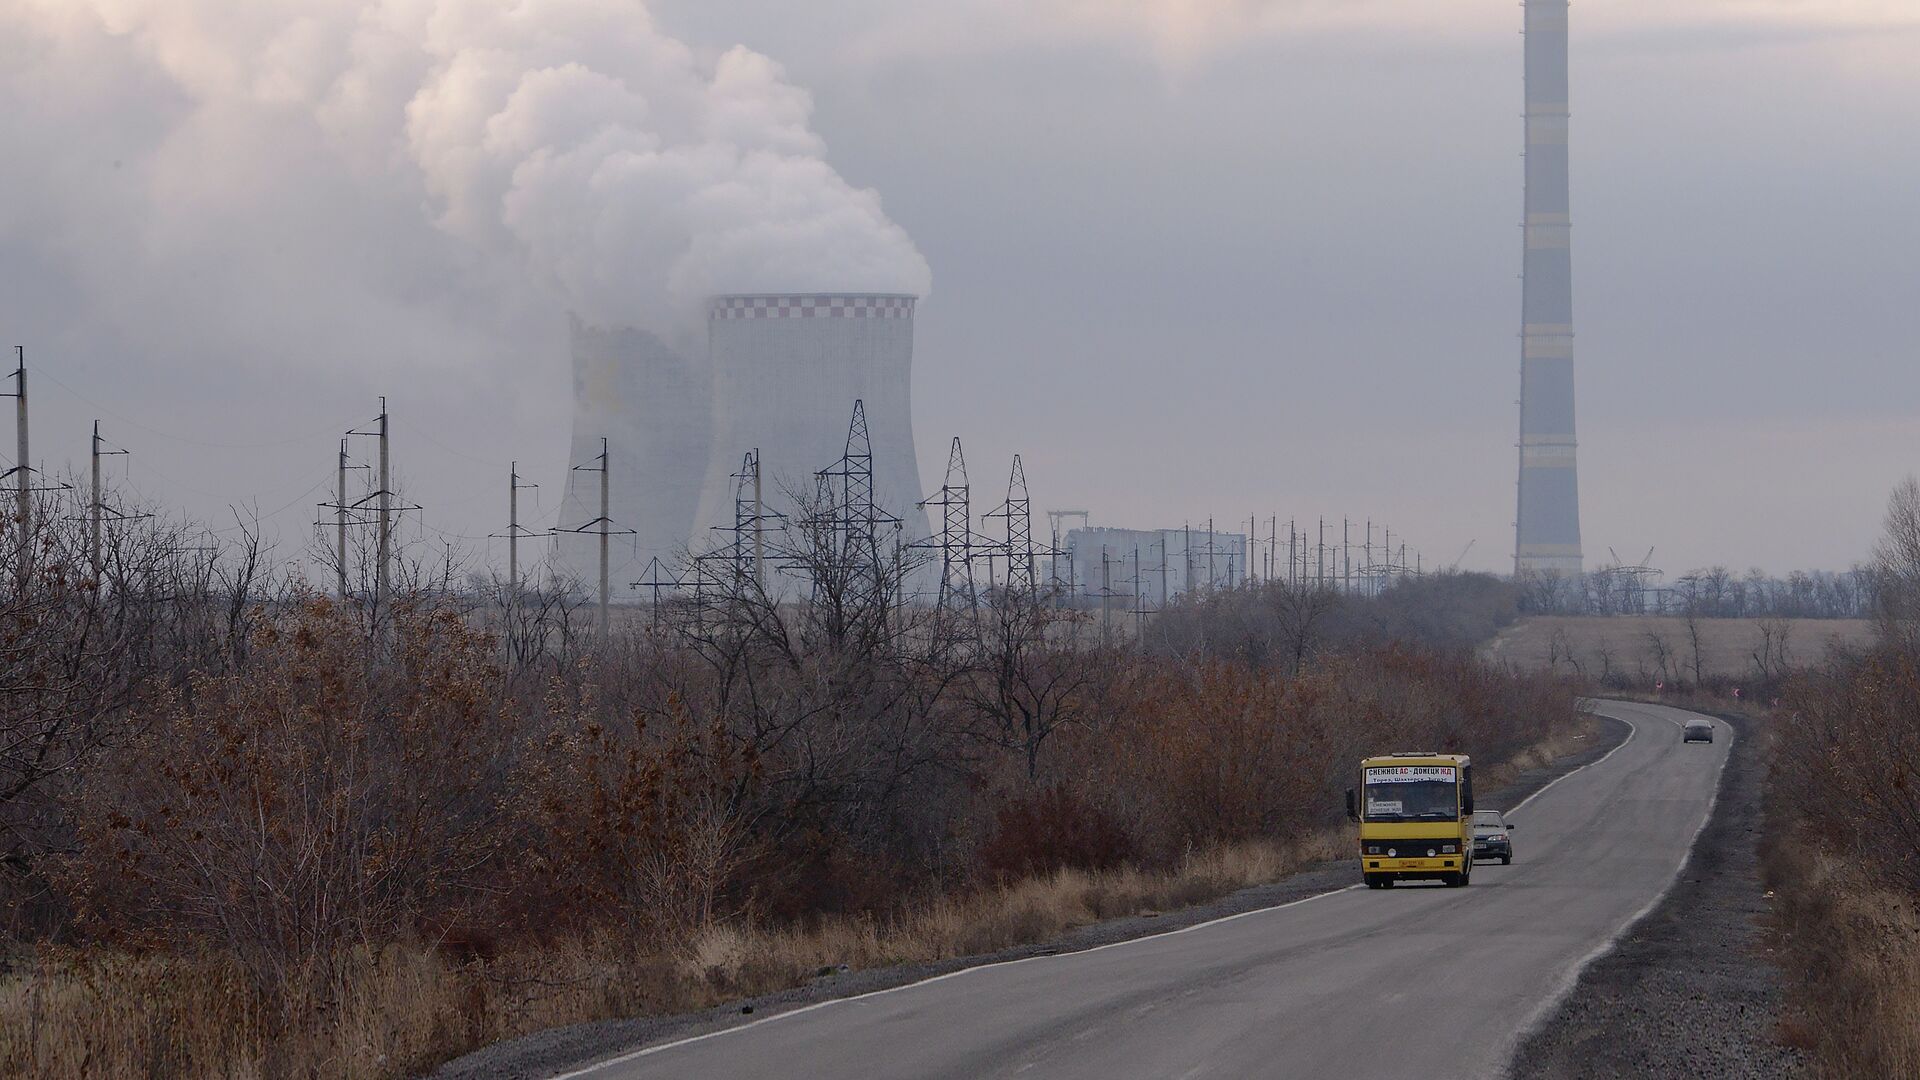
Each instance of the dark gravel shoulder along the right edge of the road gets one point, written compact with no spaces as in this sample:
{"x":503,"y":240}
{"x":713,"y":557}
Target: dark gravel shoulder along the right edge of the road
{"x":1691,"y":989}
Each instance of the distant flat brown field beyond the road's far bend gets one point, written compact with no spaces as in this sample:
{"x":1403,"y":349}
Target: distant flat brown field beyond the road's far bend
{"x":1635,"y":647}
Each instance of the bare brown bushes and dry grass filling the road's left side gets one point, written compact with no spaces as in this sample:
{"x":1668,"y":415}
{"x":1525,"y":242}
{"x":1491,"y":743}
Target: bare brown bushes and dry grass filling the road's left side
{"x":256,"y":831}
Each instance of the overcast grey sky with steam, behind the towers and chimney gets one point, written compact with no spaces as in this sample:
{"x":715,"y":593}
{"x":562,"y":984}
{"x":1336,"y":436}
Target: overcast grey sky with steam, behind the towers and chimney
{"x":1188,"y":258}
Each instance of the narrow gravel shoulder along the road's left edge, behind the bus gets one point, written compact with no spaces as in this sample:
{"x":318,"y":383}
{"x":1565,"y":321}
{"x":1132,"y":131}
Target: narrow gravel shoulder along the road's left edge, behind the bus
{"x":546,"y":1054}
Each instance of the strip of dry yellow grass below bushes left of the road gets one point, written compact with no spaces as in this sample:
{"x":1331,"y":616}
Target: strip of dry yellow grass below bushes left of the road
{"x":406,"y":1010}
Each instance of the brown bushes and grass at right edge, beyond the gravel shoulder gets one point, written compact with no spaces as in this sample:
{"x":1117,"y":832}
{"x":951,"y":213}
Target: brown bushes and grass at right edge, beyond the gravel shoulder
{"x":1846,"y":822}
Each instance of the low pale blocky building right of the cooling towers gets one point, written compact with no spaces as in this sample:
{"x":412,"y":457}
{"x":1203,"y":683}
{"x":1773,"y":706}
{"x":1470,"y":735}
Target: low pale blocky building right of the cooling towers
{"x":1149,"y":566}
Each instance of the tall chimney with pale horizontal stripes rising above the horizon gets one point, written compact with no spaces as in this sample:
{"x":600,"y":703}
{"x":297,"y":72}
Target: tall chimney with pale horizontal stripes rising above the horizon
{"x":1548,"y":520}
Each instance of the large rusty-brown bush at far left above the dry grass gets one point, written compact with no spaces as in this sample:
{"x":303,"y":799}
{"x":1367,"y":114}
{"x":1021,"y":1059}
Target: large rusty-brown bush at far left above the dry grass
{"x":310,"y":804}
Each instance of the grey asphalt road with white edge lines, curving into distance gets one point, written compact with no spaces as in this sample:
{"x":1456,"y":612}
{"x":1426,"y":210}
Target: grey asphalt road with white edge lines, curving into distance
{"x":1356,"y":983}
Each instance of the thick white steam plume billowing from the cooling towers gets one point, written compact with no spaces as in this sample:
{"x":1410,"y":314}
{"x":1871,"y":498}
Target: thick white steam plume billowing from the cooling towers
{"x":567,"y":139}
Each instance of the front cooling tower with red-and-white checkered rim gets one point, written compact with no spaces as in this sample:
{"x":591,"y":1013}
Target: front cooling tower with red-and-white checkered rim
{"x":786,"y":372}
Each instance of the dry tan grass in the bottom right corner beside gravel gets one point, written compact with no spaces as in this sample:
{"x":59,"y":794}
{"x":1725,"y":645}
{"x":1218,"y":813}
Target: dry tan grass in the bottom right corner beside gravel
{"x":1856,"y":950}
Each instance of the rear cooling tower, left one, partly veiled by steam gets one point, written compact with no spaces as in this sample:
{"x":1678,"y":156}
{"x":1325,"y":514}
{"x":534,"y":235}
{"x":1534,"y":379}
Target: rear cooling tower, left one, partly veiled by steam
{"x":652,"y":406}
